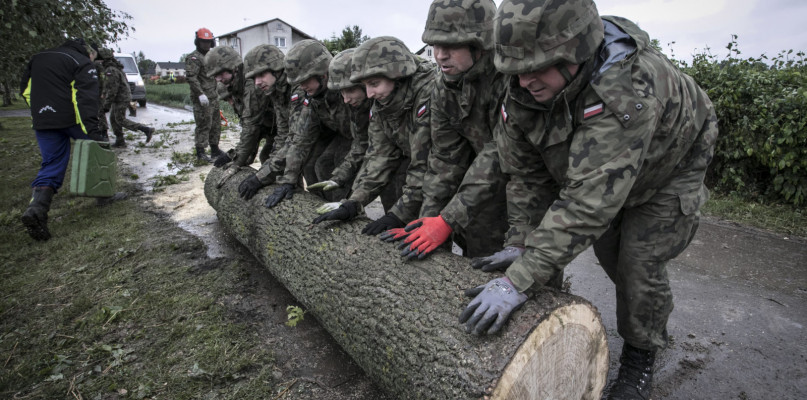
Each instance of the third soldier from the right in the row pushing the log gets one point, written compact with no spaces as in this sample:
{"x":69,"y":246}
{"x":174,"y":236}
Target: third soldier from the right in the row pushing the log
{"x":400,"y":128}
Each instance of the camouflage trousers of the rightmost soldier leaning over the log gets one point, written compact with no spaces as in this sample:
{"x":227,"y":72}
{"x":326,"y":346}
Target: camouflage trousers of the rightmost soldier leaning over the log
{"x":634,"y":252}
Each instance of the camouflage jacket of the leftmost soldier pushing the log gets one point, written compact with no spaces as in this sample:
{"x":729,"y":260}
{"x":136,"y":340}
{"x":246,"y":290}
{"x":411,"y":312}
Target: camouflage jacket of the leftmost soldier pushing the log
{"x":255,"y":111}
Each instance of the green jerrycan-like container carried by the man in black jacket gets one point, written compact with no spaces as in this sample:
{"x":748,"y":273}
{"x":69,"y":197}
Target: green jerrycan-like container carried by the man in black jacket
{"x":94,"y":170}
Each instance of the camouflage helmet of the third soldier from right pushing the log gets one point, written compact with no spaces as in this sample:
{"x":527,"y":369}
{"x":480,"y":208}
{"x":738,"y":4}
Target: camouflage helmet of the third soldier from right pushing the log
{"x":385,"y":56}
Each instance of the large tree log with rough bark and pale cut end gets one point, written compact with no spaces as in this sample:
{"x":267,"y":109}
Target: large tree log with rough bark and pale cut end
{"x":399,"y":320}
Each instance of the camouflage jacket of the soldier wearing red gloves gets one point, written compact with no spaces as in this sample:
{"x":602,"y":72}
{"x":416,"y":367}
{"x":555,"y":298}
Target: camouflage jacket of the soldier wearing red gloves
{"x":464,"y":115}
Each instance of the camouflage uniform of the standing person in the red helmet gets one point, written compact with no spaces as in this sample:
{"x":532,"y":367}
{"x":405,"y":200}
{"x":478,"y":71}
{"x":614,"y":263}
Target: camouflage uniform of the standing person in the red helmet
{"x":208,"y":127}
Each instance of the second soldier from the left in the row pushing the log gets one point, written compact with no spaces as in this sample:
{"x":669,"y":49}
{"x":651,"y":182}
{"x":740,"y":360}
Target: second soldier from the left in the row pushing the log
{"x":265,"y":64}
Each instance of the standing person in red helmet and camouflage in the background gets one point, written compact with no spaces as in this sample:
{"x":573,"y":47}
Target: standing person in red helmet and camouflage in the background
{"x":203,"y":97}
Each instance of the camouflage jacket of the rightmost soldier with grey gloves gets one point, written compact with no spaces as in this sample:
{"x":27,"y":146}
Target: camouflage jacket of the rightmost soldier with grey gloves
{"x":621,"y":132}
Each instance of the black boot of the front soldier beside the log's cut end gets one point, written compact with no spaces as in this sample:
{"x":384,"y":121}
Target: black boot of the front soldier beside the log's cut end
{"x":635,"y":379}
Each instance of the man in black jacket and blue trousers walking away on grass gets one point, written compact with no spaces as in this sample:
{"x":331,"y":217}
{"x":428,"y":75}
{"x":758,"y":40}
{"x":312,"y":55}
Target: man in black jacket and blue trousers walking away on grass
{"x":61,"y":87}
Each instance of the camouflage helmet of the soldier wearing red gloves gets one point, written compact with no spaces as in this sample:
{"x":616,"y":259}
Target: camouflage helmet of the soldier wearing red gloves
{"x":453,"y":22}
